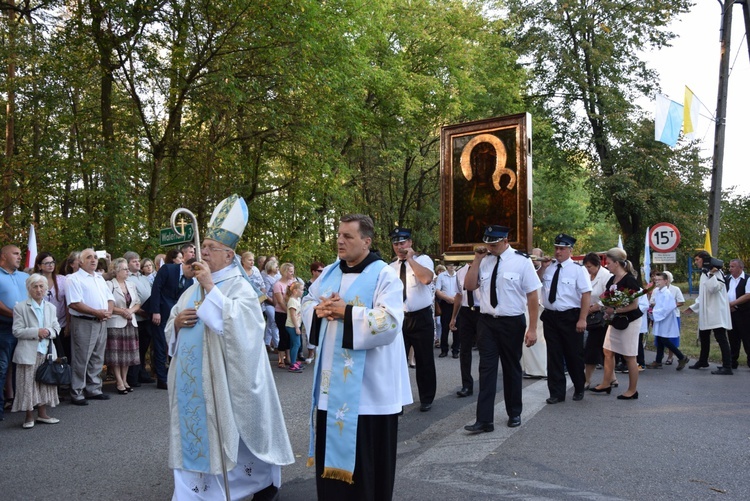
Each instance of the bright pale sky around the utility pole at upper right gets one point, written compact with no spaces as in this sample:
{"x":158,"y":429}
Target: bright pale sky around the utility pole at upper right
{"x":693,"y":60}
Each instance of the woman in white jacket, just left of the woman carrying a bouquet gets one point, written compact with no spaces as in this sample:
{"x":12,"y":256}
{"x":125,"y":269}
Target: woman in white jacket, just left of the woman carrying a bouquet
{"x":595,"y":325}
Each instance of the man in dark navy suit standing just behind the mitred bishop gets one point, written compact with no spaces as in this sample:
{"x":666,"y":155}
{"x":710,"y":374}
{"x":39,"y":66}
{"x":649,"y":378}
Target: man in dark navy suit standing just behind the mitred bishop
{"x":170,"y":282}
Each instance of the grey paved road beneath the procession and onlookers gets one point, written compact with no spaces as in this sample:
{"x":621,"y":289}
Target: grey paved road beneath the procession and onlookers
{"x":685,"y":438}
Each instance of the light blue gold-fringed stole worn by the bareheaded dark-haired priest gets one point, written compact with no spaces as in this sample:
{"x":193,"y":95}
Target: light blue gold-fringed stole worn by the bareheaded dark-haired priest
{"x":347,"y":371}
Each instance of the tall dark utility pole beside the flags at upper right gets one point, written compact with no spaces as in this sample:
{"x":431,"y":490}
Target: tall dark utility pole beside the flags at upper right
{"x":714,"y":204}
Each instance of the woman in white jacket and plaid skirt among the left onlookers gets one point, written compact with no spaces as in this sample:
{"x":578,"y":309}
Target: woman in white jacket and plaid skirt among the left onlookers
{"x":122,"y":329}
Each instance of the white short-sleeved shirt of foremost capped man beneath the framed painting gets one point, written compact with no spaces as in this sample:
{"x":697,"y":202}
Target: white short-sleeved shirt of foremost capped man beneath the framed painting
{"x":516,"y":277}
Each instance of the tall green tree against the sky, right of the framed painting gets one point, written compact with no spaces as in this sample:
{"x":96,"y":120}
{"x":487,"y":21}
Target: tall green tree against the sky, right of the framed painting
{"x":584,"y":56}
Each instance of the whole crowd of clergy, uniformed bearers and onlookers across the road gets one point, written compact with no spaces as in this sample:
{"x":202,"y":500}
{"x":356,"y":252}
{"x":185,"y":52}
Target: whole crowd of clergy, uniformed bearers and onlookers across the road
{"x":357,"y":320}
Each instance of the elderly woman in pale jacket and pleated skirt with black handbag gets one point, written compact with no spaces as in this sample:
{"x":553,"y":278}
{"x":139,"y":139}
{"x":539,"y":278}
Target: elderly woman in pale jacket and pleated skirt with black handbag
{"x":35,"y":325}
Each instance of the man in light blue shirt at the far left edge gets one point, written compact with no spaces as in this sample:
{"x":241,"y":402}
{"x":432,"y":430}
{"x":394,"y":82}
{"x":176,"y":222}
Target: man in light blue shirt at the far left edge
{"x":12,"y":291}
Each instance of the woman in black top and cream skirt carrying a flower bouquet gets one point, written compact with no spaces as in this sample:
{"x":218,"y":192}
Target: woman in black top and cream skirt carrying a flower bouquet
{"x":622,"y":333}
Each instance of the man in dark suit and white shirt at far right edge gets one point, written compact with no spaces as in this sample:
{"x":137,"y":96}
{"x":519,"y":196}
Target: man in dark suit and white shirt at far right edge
{"x":739,"y":305}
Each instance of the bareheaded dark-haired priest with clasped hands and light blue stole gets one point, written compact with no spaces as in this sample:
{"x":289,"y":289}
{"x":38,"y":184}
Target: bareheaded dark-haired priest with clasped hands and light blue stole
{"x":354,"y":313}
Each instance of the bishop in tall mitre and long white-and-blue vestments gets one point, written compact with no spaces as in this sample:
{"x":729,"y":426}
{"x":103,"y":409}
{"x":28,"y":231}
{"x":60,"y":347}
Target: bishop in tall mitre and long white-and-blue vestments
{"x":225,"y":414}
